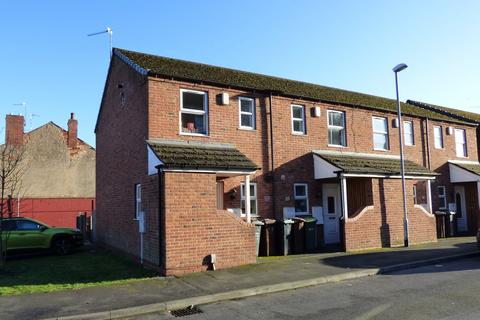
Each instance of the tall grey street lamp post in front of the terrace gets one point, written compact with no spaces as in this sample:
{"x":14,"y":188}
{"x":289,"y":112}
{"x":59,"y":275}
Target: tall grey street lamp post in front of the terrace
{"x":396,"y":70}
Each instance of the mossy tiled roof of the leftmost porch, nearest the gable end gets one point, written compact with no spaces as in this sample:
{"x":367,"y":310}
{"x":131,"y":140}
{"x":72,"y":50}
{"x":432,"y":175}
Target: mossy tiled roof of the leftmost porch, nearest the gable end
{"x":182,"y":155}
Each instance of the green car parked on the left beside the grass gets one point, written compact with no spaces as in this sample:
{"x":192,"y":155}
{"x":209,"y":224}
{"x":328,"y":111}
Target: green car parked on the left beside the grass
{"x":28,"y":234}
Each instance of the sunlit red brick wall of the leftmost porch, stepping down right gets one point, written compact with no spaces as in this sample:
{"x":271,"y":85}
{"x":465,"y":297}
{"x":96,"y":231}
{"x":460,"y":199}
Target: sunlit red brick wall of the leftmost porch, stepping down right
{"x":194,"y":228}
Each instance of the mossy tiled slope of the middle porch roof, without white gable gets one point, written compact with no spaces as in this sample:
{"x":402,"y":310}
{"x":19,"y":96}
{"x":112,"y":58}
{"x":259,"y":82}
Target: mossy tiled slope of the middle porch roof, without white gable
{"x":362,"y":164}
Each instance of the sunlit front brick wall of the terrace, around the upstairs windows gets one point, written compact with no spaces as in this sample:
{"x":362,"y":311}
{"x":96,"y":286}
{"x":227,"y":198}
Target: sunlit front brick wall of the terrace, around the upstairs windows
{"x":293,"y":159}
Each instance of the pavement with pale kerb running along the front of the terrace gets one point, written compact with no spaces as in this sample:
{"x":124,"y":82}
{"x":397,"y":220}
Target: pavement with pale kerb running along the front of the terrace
{"x":271,"y":274}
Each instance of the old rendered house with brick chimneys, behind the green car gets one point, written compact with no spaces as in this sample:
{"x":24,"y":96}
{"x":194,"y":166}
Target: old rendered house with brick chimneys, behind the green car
{"x":57,"y":180}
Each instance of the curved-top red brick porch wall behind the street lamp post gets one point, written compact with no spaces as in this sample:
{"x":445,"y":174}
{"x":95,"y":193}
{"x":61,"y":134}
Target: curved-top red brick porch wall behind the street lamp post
{"x":381,"y":225}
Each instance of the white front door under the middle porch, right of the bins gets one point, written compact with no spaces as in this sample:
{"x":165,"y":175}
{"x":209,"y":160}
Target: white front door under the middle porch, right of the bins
{"x":331,"y":213}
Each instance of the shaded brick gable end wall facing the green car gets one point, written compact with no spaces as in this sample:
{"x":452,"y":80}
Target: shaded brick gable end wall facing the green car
{"x":121,"y":159}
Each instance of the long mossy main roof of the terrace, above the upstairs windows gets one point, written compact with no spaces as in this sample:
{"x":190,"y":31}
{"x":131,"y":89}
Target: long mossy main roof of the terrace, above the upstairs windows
{"x":202,"y":73}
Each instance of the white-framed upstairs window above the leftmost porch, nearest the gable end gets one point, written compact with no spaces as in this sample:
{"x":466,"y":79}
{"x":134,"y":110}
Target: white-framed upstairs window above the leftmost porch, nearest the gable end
{"x":193,"y":112}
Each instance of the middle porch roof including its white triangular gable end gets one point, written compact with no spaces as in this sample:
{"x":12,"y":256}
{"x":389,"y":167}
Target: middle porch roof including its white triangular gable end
{"x":364,"y":164}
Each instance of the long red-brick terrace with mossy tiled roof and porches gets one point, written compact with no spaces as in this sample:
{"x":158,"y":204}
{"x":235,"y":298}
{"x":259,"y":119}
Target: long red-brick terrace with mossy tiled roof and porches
{"x":197,"y":151}
